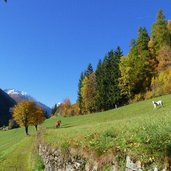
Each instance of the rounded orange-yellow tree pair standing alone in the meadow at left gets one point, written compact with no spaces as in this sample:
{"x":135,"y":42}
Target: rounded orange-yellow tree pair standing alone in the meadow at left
{"x":27,"y":113}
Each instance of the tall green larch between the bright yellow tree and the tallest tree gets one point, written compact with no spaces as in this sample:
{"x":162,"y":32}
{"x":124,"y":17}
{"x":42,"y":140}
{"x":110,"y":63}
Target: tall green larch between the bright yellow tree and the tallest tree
{"x":145,"y":63}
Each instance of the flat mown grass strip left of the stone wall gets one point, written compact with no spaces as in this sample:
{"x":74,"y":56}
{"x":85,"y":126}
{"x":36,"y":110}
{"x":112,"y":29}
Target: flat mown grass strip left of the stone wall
{"x":16,"y":149}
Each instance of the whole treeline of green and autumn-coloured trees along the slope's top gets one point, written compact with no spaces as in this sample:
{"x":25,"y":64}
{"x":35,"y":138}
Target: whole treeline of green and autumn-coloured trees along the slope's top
{"x":118,"y":80}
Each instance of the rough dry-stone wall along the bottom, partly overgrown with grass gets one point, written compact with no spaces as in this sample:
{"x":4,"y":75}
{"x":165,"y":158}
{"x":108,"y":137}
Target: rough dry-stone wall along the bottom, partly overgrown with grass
{"x":56,"y":160}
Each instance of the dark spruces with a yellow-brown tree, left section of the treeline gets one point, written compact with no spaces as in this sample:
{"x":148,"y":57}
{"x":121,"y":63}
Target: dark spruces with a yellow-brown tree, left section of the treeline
{"x":99,"y":90}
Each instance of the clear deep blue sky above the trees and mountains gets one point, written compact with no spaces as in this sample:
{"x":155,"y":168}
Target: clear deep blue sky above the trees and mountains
{"x":45,"y":45}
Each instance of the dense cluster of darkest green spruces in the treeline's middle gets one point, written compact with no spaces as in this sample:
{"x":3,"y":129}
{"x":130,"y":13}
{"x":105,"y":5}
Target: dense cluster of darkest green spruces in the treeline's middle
{"x":107,"y":78}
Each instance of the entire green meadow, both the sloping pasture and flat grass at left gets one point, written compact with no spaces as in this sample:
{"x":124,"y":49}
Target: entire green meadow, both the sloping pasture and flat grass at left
{"x":137,"y":130}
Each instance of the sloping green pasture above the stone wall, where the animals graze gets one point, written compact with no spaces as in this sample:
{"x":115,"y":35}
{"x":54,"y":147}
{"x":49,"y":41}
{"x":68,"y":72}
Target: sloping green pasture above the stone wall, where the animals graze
{"x":136,"y":129}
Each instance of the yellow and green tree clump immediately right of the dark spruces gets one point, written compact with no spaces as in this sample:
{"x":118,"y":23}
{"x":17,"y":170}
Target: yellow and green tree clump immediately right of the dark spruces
{"x":138,"y":68}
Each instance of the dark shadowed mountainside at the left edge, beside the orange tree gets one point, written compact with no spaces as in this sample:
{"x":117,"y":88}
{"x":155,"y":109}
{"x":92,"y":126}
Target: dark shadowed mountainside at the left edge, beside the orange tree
{"x":6,"y":103}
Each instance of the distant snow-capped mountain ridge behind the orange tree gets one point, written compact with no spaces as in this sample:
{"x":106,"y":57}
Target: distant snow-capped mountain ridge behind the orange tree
{"x":19,"y":96}
